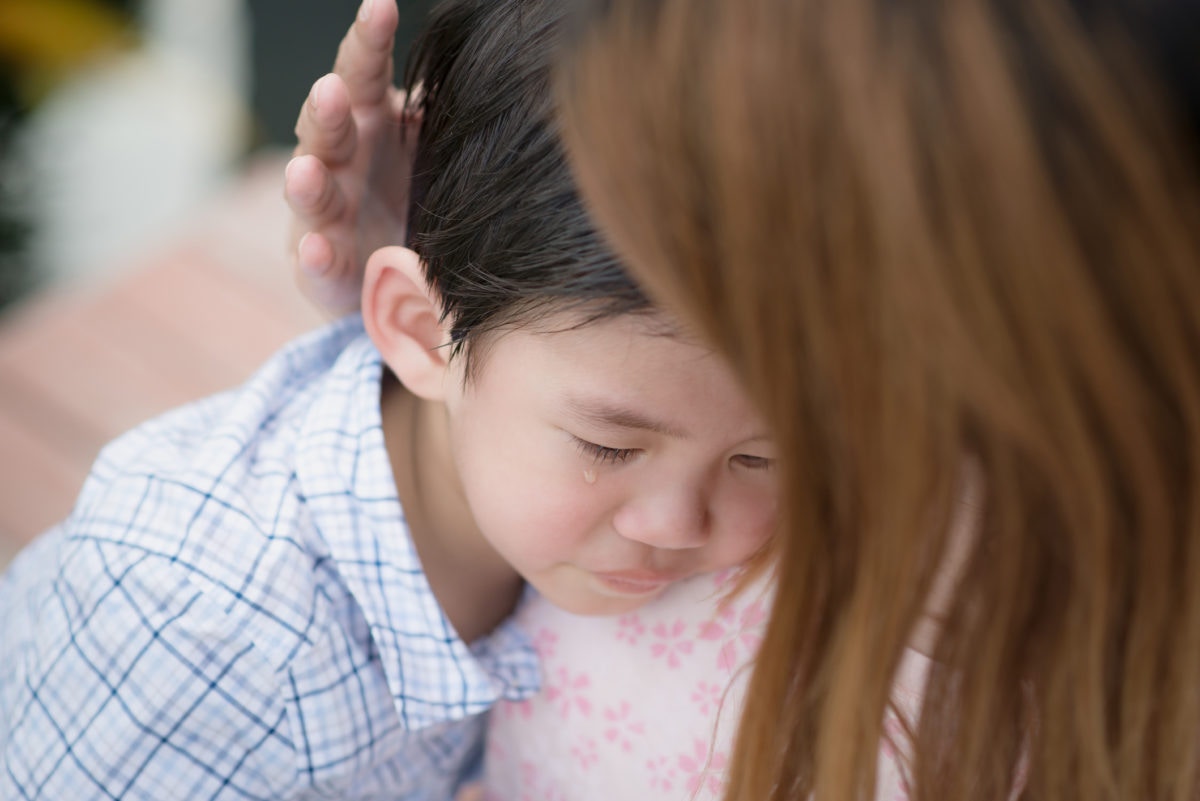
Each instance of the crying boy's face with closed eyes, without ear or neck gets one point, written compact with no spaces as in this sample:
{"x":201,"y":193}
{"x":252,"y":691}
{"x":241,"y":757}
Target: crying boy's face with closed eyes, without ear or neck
{"x":608,"y":462}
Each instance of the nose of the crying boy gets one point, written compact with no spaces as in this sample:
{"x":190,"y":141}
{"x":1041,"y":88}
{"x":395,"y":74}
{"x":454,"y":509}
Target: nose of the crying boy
{"x":667,"y":517}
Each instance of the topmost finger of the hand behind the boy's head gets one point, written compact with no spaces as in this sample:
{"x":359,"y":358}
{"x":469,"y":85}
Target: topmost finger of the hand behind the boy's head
{"x":365,"y":56}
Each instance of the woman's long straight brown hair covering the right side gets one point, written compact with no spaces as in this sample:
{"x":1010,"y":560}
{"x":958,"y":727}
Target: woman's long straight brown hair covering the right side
{"x":939,"y":242}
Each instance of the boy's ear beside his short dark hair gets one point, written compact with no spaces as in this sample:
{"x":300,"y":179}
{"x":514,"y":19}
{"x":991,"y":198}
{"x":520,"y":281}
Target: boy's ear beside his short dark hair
{"x":403,"y":317}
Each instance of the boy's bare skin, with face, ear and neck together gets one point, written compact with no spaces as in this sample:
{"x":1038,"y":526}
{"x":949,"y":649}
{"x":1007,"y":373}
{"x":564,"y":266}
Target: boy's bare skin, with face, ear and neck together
{"x":603,"y":461}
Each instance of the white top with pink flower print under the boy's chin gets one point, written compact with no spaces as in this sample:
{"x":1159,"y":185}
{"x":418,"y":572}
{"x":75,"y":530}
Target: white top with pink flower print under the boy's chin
{"x":646,"y":706}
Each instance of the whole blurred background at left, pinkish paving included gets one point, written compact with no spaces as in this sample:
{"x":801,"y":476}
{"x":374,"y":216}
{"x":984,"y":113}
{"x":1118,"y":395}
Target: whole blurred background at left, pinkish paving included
{"x":142,"y":263}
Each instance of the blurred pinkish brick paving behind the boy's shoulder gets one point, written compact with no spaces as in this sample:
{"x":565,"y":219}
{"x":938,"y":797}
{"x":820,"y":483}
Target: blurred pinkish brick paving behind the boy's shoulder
{"x":79,"y":366}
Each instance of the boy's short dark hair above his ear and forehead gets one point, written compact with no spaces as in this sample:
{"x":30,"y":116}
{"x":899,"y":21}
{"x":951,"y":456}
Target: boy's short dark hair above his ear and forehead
{"x":495,"y":214}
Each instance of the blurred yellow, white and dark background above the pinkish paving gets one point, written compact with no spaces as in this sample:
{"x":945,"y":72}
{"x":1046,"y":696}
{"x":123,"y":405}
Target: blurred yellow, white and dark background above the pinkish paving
{"x":119,"y":117}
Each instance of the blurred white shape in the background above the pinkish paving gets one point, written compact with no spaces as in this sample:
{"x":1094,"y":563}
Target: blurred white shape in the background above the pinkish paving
{"x":121,"y":156}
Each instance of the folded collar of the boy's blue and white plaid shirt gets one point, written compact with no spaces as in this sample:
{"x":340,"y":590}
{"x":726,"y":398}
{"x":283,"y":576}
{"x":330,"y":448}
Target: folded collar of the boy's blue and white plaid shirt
{"x":345,"y":474}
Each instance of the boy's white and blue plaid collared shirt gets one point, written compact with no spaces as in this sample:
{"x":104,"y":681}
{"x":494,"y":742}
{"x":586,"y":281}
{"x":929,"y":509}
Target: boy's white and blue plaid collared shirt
{"x":235,"y":610}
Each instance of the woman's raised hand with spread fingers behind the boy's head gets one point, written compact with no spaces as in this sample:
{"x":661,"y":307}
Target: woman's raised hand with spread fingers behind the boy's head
{"x":349,"y":182}
